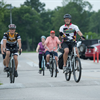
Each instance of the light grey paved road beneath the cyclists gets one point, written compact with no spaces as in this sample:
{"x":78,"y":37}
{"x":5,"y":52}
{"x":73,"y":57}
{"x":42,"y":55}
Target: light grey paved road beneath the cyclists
{"x":32,"y":86}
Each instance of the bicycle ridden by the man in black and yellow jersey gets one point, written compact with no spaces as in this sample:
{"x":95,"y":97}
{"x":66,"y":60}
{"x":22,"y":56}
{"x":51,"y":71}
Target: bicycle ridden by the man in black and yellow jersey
{"x":12,"y":66}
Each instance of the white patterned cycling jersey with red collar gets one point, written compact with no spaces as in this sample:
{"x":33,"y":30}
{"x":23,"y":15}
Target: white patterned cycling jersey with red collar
{"x":70,"y":31}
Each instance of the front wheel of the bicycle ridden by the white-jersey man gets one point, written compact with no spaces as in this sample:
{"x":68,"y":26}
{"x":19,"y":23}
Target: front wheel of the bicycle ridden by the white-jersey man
{"x":77,"y":70}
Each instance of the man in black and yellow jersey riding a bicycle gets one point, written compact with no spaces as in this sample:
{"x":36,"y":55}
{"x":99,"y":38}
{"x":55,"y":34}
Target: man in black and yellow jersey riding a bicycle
{"x":10,"y":40}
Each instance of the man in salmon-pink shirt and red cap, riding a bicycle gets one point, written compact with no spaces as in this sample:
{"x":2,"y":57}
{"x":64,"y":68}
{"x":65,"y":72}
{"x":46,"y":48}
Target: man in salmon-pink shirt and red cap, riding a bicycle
{"x":51,"y":43}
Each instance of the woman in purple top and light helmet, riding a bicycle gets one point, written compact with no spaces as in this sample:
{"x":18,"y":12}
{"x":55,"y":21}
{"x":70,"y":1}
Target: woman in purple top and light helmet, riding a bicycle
{"x":40,"y":47}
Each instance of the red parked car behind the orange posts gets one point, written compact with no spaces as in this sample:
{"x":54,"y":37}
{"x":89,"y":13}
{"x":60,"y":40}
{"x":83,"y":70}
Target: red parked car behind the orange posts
{"x":90,"y":50}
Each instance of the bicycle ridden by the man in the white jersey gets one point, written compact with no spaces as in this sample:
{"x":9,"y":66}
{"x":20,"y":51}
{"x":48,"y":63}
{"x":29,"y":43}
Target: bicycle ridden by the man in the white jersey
{"x":73,"y":65}
